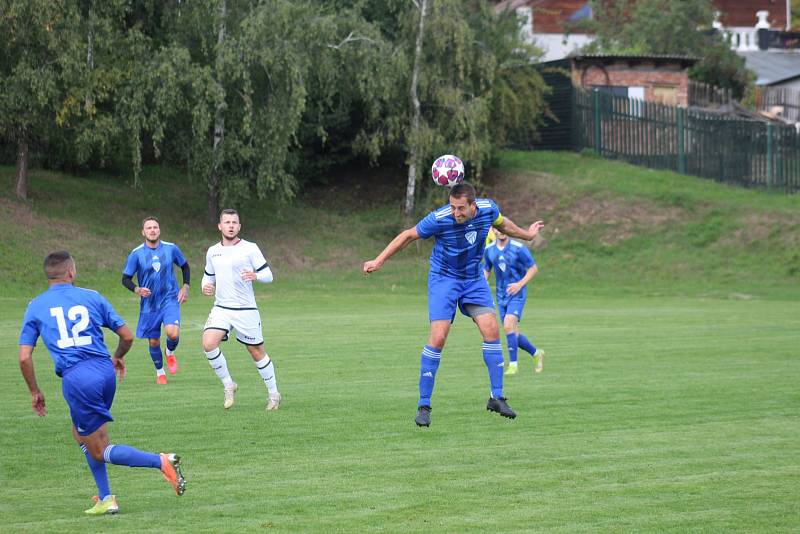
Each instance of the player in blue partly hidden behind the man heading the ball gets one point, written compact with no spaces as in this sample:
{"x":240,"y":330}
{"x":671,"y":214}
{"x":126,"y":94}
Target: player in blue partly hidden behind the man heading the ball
{"x":514,"y":267}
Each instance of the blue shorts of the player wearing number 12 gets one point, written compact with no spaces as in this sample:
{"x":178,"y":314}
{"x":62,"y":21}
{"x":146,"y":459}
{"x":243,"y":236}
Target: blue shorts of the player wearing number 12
{"x":89,"y":387}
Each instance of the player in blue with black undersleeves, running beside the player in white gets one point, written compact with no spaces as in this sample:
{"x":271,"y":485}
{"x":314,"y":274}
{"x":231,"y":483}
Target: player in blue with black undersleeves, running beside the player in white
{"x":151,"y":263}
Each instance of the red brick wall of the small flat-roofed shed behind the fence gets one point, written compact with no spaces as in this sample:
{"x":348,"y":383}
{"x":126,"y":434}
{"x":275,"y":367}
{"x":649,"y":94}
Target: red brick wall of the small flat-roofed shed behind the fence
{"x":645,"y":74}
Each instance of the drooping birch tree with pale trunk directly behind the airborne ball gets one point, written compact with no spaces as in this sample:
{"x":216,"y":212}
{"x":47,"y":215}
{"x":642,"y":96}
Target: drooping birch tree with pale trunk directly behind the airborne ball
{"x":474,"y":80}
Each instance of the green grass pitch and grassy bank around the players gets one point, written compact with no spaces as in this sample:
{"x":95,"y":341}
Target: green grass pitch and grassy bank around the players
{"x":667,"y":404}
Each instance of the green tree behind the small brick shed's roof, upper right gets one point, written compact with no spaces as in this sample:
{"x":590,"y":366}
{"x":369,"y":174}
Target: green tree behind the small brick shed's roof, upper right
{"x":667,"y":27}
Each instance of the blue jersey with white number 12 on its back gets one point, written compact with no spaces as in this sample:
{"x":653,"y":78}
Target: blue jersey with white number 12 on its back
{"x":69,"y":320}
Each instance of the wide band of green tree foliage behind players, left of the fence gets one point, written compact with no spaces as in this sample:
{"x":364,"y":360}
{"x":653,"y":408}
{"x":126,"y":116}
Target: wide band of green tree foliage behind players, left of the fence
{"x":293,"y":88}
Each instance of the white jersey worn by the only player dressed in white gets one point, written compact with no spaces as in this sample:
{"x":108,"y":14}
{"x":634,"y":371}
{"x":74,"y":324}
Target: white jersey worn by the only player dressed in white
{"x":225,"y":266}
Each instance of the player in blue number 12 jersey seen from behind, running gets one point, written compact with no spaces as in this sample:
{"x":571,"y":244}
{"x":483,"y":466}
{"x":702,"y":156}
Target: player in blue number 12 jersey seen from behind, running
{"x":69,"y":320}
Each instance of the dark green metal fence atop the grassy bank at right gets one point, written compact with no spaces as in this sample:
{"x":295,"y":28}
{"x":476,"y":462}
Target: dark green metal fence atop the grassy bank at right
{"x":728,"y":149}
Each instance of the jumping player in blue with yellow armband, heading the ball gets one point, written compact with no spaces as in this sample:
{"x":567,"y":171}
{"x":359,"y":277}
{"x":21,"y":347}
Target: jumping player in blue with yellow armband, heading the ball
{"x":456,"y":280}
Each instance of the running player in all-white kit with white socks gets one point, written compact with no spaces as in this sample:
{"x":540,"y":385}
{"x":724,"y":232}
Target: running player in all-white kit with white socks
{"x":232,"y":265}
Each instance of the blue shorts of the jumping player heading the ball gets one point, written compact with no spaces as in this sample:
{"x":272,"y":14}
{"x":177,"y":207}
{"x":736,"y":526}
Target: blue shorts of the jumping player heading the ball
{"x":445,"y":293}
